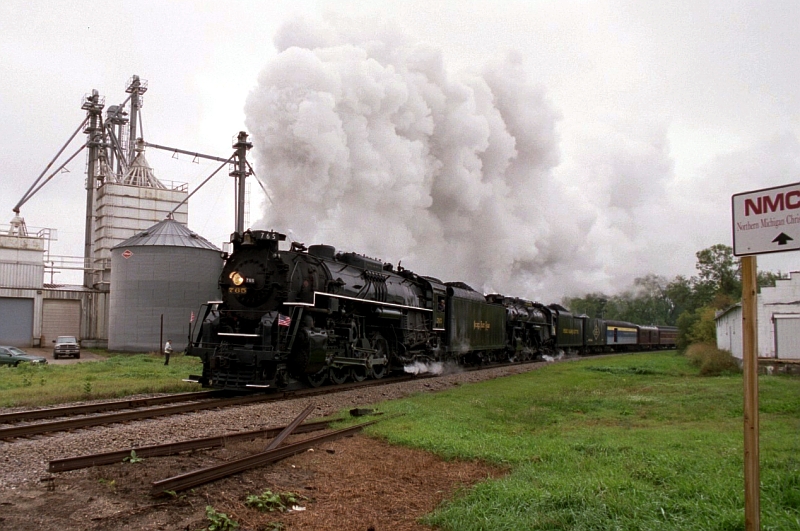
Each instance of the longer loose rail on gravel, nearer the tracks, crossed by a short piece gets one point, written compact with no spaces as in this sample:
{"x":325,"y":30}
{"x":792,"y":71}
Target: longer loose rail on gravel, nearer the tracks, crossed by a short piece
{"x":116,"y":456}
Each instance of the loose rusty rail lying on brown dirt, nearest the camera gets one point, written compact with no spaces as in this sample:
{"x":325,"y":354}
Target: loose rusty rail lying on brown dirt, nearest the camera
{"x":205,"y":475}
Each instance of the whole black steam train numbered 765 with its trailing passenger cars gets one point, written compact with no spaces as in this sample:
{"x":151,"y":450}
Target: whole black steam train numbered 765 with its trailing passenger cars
{"x":307,"y":316}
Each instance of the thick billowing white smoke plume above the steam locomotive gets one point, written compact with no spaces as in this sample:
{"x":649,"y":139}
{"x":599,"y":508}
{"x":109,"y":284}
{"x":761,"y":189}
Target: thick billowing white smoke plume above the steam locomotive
{"x":366,"y":141}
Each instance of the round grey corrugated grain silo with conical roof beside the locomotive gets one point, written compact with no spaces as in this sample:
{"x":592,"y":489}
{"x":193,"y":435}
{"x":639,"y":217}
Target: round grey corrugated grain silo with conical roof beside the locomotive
{"x":166,"y":270}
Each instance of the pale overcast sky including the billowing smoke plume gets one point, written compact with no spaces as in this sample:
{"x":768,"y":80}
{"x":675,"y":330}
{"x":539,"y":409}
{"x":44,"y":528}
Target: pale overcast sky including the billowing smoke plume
{"x":540,"y":149}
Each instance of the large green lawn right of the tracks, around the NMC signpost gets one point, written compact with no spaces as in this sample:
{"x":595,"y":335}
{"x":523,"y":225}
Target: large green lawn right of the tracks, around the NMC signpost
{"x":637,"y":442}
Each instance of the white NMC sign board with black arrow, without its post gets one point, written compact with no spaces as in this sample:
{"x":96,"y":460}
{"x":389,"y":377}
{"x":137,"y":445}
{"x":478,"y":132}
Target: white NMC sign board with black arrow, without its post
{"x":766,"y":221}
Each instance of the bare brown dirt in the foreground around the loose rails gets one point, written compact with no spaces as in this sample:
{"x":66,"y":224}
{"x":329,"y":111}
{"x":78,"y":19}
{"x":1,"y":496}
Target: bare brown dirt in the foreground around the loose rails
{"x":356,"y":483}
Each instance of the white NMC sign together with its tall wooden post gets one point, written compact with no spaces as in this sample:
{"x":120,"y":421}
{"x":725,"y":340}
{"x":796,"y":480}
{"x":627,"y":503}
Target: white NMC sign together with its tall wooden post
{"x":764,"y":221}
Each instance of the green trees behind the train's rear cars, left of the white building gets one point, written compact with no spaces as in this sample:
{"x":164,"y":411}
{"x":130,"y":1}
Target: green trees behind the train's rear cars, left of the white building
{"x":688,"y":303}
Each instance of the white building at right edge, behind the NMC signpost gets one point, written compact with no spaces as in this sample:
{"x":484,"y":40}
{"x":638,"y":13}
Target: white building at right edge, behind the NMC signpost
{"x":778,"y":322}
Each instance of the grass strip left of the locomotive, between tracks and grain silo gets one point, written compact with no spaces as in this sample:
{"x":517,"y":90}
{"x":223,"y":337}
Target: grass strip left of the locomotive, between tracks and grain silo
{"x":117,"y":376}
